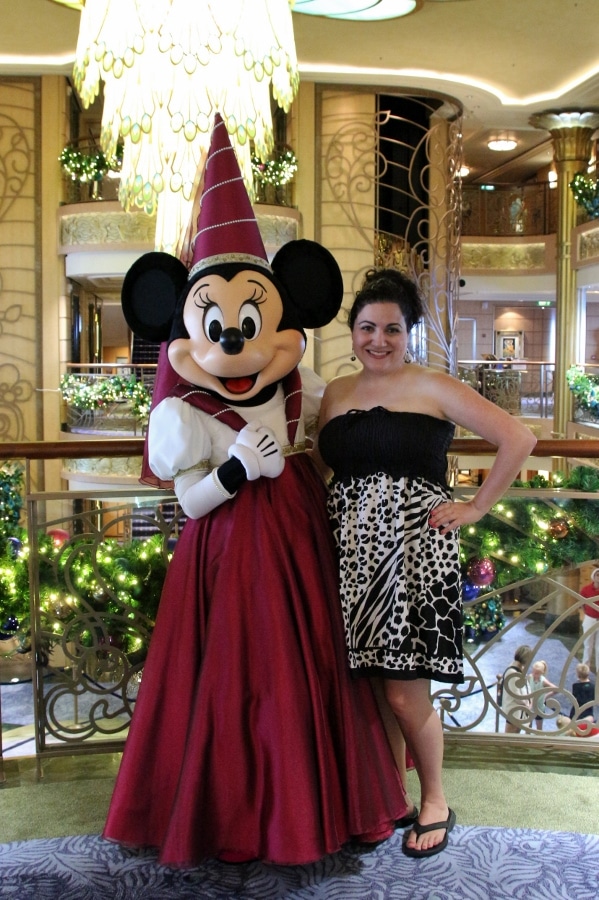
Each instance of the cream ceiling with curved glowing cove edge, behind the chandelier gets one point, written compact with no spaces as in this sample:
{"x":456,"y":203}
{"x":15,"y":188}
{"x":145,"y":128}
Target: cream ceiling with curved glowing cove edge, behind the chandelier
{"x":502,"y":59}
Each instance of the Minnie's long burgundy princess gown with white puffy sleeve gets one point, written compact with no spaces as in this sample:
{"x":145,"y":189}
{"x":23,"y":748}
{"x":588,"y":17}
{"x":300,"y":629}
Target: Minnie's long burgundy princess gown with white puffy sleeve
{"x":250,"y":739}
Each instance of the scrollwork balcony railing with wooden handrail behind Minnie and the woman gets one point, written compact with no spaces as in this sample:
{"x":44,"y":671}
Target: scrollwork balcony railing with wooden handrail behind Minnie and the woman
{"x":95,"y":574}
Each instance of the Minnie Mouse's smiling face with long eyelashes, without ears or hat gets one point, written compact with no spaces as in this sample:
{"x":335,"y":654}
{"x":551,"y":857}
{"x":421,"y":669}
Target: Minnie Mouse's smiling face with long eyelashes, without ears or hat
{"x":233,"y":346}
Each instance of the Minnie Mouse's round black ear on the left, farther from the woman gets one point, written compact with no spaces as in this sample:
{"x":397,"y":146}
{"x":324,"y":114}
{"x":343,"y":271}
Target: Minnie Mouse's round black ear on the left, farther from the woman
{"x":149,"y":295}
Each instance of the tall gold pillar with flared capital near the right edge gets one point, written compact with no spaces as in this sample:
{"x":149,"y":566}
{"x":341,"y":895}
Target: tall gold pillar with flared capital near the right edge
{"x":571,"y":132}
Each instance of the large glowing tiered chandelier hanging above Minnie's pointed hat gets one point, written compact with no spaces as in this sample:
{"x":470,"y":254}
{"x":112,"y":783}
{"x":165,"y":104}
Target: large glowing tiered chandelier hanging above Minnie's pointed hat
{"x":167,"y":66}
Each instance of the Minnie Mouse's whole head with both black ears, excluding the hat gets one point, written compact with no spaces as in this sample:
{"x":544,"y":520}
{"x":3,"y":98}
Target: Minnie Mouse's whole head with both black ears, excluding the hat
{"x":234,"y":328}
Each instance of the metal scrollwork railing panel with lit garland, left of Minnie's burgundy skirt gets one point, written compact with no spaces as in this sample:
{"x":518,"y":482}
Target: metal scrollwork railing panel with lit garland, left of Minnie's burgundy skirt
{"x":96,"y":589}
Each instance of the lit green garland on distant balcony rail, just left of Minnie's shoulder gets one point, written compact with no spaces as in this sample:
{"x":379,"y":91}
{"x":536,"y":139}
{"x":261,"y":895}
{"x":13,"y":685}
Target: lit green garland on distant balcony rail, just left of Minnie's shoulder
{"x":95,"y":393}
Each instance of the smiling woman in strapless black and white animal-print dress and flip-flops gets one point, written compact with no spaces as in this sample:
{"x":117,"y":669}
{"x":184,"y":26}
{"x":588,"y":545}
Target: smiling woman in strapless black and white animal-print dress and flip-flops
{"x":384,"y":432}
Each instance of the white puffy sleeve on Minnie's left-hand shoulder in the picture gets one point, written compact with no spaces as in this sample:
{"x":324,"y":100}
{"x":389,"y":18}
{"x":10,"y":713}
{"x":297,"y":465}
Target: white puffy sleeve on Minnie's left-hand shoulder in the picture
{"x":177,"y":438}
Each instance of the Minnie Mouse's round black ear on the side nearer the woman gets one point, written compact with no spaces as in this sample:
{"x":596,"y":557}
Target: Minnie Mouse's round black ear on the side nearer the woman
{"x":312,"y":278}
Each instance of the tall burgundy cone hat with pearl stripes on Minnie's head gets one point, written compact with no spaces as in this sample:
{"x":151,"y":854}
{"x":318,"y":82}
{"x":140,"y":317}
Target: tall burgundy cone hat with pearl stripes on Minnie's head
{"x":227,"y":227}
